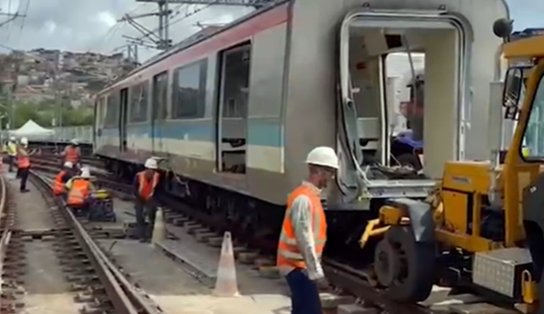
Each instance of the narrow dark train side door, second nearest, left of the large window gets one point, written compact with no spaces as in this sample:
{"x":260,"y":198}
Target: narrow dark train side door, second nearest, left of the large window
{"x":160,"y":86}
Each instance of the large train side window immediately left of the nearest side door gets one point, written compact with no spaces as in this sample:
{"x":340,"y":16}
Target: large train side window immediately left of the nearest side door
{"x":189,"y":92}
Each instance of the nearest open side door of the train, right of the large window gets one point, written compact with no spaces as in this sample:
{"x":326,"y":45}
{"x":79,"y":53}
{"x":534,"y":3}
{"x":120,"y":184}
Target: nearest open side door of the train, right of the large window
{"x":231,"y":137}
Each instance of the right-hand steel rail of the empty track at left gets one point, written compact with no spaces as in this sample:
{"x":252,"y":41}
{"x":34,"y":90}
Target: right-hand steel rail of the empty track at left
{"x":123,"y":296}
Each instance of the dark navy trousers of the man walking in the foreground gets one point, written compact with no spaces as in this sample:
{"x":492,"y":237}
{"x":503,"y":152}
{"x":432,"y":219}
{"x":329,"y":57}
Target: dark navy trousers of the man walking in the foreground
{"x":304,"y":293}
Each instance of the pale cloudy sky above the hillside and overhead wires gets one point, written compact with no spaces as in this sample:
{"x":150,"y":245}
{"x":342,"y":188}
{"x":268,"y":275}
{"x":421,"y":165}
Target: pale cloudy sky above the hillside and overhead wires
{"x":91,"y":25}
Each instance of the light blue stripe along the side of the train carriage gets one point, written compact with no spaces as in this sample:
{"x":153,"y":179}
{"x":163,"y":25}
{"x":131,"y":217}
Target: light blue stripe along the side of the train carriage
{"x":261,"y":132}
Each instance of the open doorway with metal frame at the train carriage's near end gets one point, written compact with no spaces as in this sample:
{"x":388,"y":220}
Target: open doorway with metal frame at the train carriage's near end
{"x":444,"y":37}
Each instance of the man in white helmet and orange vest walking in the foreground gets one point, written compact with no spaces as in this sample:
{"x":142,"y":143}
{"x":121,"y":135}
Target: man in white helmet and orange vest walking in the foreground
{"x":304,"y":233}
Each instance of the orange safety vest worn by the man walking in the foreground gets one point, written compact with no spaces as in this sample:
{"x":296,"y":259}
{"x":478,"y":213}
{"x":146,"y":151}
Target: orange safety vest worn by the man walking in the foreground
{"x":288,"y":251}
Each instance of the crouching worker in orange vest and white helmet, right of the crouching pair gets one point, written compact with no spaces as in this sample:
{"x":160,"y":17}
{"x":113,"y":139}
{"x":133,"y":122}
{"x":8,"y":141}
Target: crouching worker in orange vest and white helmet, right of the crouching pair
{"x":79,"y":190}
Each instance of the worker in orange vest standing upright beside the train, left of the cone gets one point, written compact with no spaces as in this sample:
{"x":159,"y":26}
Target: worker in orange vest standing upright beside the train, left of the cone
{"x":145,"y":205}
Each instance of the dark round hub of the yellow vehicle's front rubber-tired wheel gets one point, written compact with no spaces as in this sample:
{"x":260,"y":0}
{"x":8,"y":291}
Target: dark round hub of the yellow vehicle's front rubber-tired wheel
{"x":386,"y":263}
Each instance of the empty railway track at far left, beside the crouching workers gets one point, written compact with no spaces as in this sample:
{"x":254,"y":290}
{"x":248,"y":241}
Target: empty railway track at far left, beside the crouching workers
{"x":51,"y":264}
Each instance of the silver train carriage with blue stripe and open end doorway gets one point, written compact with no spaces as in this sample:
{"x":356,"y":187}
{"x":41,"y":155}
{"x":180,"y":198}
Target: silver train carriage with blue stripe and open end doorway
{"x":231,"y":115}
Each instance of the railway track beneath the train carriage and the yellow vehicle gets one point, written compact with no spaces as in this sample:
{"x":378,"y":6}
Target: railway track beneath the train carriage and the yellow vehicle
{"x":350,"y":285}
